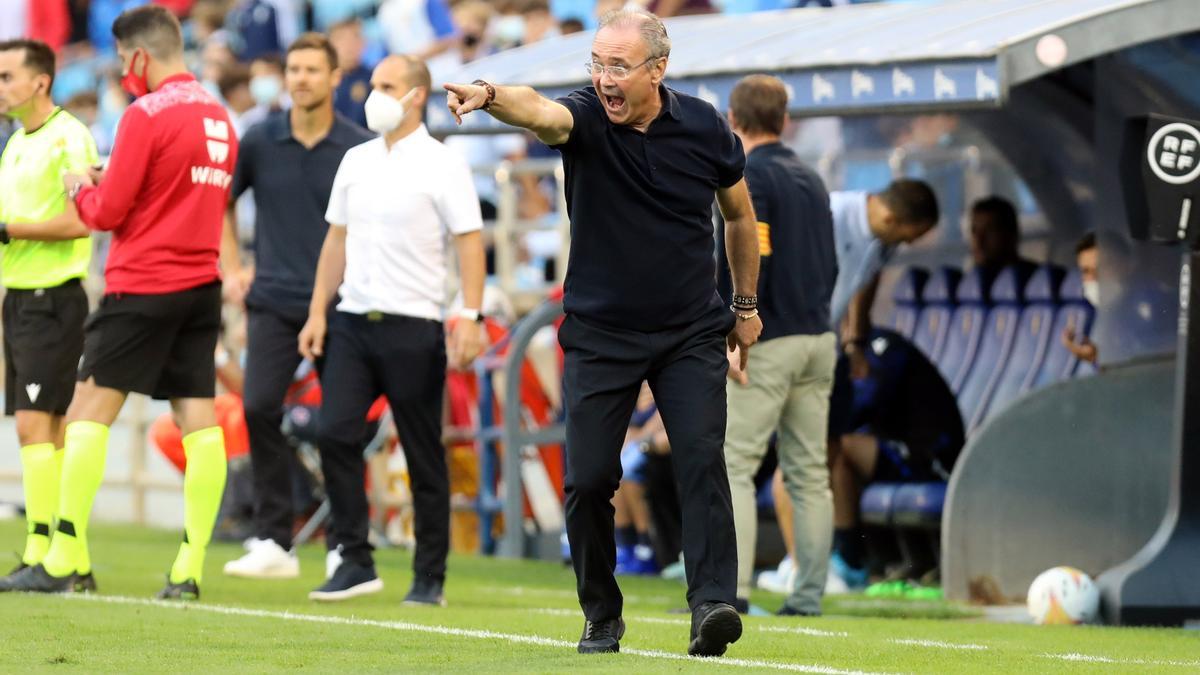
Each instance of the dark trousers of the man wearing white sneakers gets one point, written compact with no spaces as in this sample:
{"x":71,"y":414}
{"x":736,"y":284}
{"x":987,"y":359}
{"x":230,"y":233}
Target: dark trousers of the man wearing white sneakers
{"x":272,"y":362}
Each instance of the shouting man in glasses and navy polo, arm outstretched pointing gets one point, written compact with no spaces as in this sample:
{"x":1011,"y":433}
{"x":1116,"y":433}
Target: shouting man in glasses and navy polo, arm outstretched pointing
{"x":643,"y":164}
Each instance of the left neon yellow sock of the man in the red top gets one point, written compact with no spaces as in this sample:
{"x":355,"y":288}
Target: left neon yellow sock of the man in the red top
{"x":83,"y":469}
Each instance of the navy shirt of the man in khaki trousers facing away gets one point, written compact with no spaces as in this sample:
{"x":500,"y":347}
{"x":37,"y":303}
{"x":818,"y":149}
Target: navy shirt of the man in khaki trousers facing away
{"x":799,"y":267}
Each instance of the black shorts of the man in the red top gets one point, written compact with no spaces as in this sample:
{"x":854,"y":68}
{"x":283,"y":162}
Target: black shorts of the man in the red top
{"x":158,"y":345}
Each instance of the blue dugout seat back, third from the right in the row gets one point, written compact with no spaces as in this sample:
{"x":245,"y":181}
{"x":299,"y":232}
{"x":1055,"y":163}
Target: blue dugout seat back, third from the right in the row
{"x":995,"y":345}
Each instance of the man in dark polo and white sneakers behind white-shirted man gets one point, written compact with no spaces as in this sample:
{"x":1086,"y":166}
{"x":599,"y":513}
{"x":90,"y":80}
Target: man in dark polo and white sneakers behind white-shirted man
{"x":290,"y":160}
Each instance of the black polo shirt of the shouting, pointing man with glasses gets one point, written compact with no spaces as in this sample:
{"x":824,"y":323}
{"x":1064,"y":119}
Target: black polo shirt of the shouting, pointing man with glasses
{"x":643,"y":247}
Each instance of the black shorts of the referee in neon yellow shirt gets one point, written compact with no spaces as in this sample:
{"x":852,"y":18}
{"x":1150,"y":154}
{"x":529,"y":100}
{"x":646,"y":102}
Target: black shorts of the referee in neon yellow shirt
{"x":43,"y":343}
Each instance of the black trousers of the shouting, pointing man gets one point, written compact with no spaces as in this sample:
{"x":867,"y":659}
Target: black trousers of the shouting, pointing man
{"x":687,"y":371}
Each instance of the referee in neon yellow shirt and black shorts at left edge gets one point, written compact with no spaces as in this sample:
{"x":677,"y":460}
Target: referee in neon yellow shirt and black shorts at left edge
{"x":45,"y":304}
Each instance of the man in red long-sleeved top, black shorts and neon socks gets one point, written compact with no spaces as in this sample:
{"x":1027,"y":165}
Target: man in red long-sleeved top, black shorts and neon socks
{"x":155,"y":332}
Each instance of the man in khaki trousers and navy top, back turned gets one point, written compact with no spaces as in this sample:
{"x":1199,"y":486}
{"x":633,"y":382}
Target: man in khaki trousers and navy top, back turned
{"x":793,"y":377}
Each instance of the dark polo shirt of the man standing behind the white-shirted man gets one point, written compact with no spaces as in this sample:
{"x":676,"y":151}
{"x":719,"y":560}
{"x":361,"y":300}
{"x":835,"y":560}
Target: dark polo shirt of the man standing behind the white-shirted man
{"x":292,"y":186}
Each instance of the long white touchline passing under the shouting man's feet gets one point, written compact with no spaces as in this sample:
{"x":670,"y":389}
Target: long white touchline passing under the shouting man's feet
{"x":405,"y":626}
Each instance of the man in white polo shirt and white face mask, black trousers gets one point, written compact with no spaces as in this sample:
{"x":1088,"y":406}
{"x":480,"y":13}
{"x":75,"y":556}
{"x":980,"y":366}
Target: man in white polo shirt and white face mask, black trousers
{"x":393,"y":204}
